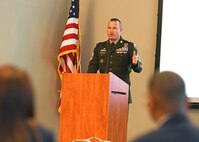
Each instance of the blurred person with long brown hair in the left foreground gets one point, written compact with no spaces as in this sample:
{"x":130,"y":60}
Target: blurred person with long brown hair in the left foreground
{"x":17,"y":110}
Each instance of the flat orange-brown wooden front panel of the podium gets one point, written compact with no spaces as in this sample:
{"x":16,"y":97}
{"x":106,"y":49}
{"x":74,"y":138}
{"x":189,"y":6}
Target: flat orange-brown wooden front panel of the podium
{"x":84,"y":104}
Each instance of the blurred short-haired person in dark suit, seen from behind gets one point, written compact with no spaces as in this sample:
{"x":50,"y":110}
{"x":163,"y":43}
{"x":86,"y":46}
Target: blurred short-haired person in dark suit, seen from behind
{"x":168,"y":103}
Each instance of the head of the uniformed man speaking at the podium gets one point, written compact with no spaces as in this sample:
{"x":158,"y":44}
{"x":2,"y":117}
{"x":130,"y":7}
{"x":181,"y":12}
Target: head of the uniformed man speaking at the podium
{"x":114,"y":29}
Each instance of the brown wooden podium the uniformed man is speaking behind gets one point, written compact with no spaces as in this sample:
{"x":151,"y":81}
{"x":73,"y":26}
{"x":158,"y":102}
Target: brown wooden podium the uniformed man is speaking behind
{"x":93,"y":105}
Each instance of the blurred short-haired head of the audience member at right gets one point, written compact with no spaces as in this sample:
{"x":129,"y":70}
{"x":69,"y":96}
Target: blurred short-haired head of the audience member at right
{"x":167,"y":94}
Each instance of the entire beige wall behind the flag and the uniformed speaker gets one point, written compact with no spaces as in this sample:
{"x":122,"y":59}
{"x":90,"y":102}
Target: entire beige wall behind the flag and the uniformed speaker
{"x":31,"y":33}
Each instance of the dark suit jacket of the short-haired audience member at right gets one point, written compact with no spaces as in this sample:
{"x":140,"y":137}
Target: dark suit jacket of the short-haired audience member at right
{"x":177,"y":129}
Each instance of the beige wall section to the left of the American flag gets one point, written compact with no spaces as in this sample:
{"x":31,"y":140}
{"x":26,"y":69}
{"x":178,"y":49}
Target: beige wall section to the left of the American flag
{"x":31,"y":32}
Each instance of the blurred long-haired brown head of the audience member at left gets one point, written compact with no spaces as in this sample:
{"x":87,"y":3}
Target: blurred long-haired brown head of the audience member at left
{"x":16,"y":96}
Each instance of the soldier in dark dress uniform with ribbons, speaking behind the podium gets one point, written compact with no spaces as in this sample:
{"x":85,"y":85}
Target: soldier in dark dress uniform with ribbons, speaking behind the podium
{"x":115,"y":55}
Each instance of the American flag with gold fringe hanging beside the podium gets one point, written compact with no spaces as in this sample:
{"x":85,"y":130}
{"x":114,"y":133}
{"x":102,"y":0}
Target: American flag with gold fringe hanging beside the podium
{"x":69,"y":53}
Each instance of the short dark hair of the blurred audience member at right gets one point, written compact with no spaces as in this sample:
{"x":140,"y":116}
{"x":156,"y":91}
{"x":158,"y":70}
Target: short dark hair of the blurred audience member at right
{"x":171,"y":89}
